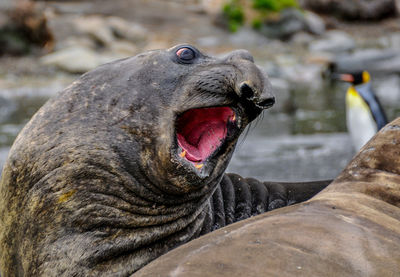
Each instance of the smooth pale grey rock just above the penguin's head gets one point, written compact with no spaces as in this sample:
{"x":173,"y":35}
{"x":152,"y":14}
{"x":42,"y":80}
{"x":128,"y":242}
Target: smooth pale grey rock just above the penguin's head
{"x":334,"y":42}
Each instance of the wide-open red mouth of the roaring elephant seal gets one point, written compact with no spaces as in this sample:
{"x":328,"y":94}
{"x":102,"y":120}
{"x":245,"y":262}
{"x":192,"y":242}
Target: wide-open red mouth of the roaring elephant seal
{"x":201,"y":132}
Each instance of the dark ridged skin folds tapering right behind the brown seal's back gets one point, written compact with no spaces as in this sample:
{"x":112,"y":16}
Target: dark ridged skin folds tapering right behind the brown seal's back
{"x":238,"y":198}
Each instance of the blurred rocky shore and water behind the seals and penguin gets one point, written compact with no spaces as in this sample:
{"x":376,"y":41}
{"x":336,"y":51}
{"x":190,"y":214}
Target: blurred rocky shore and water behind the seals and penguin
{"x":45,"y":45}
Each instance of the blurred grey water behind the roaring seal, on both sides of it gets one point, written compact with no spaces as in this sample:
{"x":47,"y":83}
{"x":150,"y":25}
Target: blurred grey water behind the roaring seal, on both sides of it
{"x":304,"y":139}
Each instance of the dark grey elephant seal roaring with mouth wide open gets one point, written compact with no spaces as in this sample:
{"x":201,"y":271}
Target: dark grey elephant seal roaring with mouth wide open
{"x":128,"y":162}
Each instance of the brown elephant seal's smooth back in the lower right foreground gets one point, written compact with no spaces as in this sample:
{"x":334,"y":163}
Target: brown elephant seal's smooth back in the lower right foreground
{"x":352,"y":228}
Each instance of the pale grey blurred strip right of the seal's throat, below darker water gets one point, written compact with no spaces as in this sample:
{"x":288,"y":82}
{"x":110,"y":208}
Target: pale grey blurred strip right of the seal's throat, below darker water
{"x":292,"y":158}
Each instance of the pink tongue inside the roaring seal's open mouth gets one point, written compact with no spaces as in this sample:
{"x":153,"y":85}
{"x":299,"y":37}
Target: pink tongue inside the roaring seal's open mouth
{"x":202,"y":140}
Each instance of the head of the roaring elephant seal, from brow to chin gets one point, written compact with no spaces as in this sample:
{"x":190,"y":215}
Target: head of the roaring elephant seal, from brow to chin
{"x":202,"y":105}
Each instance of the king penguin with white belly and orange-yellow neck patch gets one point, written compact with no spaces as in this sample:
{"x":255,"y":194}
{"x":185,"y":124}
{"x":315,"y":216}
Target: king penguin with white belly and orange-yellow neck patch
{"x":364,"y":113}
